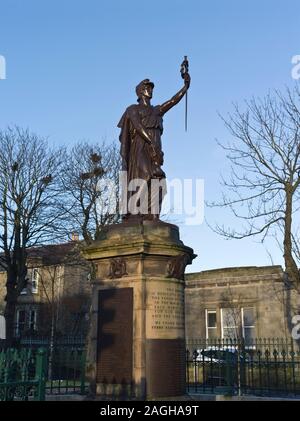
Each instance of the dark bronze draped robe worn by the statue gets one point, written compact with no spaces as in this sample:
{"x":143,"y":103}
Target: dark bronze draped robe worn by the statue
{"x":135,"y":151}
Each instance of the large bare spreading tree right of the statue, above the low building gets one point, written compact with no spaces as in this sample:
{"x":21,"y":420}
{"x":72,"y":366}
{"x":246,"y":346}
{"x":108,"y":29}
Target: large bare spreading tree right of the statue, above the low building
{"x":263,"y":189}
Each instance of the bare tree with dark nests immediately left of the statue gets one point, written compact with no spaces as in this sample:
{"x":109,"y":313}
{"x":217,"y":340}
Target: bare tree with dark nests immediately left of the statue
{"x":90,"y":179}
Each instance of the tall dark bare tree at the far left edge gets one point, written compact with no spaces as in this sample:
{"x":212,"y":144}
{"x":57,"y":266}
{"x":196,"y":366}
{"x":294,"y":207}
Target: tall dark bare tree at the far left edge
{"x":29,"y":193}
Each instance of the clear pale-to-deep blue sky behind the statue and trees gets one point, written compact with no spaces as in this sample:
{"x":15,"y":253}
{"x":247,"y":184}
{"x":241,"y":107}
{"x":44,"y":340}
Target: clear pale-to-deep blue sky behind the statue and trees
{"x":72,"y":66}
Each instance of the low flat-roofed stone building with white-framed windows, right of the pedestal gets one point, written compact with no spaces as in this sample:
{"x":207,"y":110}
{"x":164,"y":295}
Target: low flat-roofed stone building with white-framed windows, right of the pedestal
{"x":249,"y":302}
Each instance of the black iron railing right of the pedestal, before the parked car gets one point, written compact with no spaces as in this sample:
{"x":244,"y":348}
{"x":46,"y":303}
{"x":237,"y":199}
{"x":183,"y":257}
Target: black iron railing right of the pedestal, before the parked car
{"x":265,"y":367}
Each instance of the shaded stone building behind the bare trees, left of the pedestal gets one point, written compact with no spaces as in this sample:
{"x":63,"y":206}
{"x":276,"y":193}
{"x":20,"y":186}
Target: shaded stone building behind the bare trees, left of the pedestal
{"x":57,"y":295}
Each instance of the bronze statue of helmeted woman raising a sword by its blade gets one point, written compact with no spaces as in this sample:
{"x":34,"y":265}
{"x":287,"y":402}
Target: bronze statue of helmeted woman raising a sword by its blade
{"x":141,"y":129}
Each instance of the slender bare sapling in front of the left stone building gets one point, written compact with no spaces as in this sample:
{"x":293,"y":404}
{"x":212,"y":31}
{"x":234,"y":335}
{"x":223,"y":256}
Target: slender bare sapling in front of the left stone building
{"x":64,"y":298}
